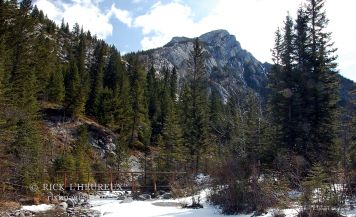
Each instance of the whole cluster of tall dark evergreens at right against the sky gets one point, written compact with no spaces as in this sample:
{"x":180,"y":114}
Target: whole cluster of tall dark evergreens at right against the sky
{"x":305,"y":86}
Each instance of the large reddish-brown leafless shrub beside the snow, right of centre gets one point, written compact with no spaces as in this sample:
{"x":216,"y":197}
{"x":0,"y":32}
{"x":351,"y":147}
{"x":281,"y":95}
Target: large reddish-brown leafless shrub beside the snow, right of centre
{"x":246,"y":191}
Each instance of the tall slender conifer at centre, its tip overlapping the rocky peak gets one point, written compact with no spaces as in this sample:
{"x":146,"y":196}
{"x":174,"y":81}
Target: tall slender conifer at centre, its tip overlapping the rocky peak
{"x":195,"y":120}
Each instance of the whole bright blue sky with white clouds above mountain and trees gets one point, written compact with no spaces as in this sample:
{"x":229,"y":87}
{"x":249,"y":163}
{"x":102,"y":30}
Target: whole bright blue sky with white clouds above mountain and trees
{"x":133,"y":25}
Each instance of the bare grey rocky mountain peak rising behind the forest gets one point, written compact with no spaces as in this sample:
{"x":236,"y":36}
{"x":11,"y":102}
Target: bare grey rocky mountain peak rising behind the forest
{"x":227,"y":64}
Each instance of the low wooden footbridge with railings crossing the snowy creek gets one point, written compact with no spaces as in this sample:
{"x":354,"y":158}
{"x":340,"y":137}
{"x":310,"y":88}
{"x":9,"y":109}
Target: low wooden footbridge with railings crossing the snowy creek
{"x":135,"y":181}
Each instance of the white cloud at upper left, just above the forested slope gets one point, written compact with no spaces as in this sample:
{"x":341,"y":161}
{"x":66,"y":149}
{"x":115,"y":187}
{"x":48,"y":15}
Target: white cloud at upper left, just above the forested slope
{"x":86,"y":13}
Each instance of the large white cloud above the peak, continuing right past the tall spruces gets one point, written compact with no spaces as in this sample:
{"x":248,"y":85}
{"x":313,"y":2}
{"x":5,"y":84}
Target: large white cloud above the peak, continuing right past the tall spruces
{"x":253,"y":22}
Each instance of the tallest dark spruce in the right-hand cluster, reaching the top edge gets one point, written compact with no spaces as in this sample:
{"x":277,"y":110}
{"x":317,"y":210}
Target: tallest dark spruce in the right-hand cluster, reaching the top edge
{"x":323,"y":84}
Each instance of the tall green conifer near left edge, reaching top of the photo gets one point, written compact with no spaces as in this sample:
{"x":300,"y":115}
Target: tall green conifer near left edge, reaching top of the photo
{"x":27,"y":144}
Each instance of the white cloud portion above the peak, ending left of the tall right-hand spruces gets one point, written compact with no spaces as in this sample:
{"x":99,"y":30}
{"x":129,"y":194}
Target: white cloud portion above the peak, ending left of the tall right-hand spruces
{"x":251,"y":21}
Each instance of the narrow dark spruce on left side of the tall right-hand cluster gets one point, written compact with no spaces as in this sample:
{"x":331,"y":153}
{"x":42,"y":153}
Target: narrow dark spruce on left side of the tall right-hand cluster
{"x":285,"y":88}
